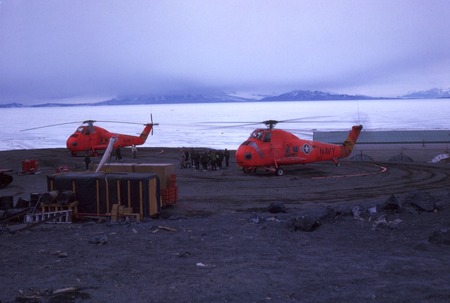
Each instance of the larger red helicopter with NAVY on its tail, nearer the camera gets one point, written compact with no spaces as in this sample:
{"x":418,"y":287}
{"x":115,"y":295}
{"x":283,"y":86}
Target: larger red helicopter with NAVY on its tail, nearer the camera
{"x":271,"y":148}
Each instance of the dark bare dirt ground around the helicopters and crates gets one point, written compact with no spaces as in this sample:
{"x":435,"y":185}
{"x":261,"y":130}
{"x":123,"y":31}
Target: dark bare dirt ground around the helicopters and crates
{"x":359,"y":232}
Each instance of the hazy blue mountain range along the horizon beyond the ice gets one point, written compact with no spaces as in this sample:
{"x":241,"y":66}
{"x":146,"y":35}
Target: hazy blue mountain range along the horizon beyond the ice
{"x":296,"y":95}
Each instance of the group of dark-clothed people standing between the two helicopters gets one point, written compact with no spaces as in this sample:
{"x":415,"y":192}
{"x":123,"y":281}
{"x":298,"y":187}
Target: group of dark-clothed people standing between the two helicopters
{"x":205,"y":159}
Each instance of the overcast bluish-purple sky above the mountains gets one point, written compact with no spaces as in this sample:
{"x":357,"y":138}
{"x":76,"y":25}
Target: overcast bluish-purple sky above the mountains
{"x":56,"y":49}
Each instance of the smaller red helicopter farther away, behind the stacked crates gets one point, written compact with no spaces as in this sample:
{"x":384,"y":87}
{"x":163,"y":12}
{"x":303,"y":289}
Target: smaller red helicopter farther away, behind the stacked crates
{"x":90,"y":138}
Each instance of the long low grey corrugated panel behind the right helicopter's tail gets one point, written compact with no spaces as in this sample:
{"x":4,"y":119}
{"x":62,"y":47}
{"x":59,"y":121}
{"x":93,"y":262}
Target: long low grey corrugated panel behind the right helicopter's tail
{"x":387,"y":137}
